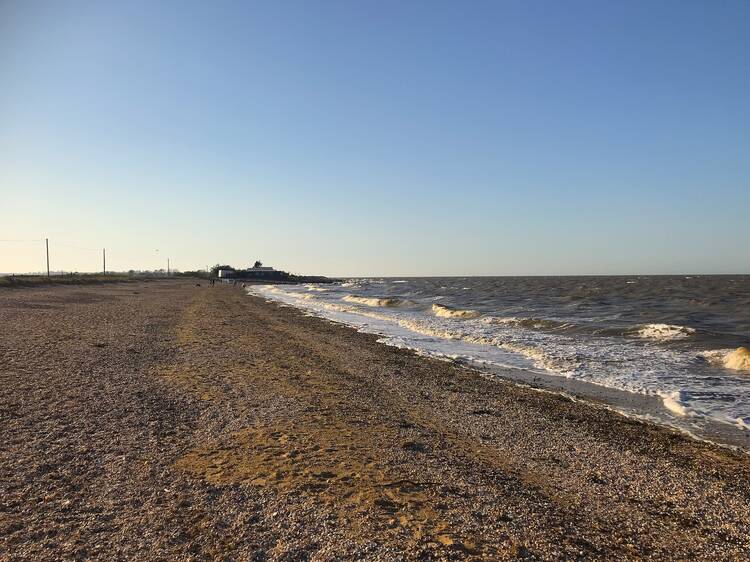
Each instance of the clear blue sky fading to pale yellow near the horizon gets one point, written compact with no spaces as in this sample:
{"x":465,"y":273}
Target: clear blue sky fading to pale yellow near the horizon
{"x":361,"y":138}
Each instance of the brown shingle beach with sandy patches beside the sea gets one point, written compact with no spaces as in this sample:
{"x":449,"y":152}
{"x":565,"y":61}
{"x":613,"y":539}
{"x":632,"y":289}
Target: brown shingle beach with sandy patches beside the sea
{"x":168,"y":421}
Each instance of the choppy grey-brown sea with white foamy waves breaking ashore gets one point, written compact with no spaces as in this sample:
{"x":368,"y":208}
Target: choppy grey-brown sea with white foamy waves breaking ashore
{"x":663,"y":348}
